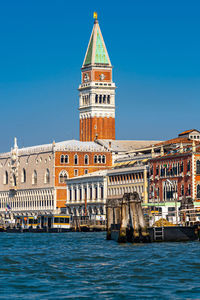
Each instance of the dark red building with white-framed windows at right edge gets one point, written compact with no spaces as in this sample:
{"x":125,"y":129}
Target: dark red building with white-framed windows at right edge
{"x":175,"y":174}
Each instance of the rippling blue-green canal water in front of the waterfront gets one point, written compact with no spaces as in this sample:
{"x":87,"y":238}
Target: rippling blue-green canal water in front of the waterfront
{"x":86,"y":265}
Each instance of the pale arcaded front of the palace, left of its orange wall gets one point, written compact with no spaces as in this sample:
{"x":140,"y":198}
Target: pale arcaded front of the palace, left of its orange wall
{"x":27,"y":181}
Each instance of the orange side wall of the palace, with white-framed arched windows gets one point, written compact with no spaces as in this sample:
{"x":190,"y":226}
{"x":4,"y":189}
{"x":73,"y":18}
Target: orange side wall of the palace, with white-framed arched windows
{"x":79,"y":159}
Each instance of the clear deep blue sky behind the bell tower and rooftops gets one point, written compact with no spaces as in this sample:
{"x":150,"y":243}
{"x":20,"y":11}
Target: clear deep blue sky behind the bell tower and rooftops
{"x":154,"y":47}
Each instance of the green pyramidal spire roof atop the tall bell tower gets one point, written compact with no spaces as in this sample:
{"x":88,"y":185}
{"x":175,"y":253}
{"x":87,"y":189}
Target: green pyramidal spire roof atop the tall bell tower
{"x":96,"y":52}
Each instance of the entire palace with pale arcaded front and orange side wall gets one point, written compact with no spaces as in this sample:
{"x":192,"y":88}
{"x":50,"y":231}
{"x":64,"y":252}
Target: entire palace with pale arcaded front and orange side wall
{"x":33,"y":179}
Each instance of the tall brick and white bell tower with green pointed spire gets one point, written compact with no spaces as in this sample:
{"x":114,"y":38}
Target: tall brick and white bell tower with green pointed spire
{"x":97,"y":91}
